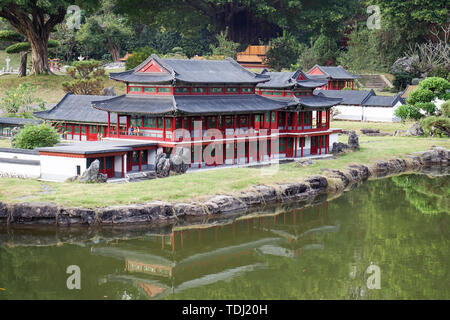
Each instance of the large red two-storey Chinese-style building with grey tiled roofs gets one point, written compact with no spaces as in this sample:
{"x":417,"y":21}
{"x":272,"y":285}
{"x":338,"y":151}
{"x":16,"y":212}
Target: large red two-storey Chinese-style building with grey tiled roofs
{"x":216,"y":110}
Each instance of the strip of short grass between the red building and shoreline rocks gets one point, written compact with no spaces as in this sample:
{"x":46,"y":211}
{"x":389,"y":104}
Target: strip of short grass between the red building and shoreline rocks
{"x":201,"y":184}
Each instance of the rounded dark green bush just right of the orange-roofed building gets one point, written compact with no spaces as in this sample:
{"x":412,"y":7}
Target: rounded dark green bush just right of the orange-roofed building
{"x":284,"y":52}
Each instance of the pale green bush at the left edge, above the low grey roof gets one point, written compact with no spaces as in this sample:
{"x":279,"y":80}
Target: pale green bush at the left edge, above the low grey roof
{"x":18,"y":101}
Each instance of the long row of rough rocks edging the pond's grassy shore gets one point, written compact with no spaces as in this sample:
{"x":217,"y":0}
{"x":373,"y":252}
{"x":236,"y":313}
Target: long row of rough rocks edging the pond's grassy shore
{"x":329,"y":181}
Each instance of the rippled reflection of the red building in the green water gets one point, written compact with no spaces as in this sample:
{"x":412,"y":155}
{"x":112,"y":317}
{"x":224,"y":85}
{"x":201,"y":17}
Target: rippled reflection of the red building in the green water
{"x":198,"y":255}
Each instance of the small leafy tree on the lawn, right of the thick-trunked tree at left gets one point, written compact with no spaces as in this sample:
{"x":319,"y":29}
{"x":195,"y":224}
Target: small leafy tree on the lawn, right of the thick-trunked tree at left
{"x":105,"y":29}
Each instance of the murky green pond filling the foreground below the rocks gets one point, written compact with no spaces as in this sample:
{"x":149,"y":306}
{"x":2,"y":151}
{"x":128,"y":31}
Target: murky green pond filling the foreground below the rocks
{"x":387,"y":239}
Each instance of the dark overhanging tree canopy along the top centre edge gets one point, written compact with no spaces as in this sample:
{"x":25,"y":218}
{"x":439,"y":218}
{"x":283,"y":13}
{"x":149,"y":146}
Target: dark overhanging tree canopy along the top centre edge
{"x":248,"y":21}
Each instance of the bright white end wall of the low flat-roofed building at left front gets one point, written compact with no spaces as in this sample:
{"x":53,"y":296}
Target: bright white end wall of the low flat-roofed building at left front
{"x":56,"y":168}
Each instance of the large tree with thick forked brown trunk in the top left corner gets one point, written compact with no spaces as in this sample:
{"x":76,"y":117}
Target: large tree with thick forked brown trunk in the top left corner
{"x":35,"y":20}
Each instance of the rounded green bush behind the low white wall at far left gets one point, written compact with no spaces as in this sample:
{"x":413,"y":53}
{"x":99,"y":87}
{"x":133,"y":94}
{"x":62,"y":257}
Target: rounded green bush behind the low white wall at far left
{"x":36,"y":136}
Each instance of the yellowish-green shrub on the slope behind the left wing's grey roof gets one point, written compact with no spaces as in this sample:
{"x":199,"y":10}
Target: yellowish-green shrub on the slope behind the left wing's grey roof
{"x":88,"y":78}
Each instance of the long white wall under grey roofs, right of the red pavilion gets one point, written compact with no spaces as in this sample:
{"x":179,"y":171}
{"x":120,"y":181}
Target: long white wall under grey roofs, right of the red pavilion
{"x":381,"y":114}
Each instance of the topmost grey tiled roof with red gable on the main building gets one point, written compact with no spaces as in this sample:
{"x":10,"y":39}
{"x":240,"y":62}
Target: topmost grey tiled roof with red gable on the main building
{"x":191,"y":71}
